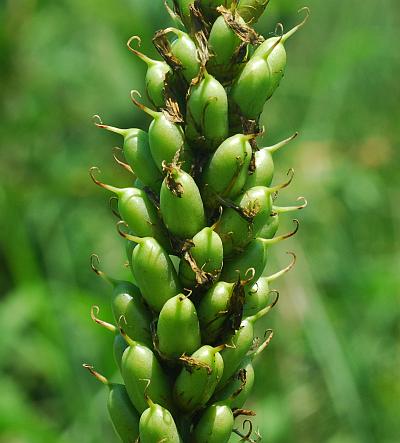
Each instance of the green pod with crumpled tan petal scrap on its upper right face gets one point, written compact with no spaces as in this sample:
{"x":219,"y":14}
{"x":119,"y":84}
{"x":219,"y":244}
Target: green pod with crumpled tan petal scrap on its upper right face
{"x":236,"y":232}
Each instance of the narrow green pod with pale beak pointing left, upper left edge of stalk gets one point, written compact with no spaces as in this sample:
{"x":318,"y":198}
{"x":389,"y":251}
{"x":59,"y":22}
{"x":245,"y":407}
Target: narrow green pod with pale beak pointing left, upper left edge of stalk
{"x":137,"y":153}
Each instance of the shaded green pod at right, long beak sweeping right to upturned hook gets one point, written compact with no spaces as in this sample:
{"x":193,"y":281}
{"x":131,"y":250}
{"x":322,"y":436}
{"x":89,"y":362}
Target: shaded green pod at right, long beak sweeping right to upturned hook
{"x":255,"y":256}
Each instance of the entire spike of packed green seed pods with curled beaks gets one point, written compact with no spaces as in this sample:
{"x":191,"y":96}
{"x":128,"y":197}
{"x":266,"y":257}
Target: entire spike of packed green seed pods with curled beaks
{"x":198,"y":219}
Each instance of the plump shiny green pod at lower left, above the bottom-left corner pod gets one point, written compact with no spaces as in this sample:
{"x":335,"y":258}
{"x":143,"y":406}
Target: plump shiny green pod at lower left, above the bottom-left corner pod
{"x":138,"y":365}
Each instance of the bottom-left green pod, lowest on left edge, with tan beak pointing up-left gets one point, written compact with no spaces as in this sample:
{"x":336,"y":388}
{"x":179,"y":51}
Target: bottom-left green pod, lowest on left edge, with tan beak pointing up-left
{"x":124,"y":417}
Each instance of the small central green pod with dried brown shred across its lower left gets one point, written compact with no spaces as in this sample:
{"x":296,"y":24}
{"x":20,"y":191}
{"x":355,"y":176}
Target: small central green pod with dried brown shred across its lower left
{"x":208,"y":255}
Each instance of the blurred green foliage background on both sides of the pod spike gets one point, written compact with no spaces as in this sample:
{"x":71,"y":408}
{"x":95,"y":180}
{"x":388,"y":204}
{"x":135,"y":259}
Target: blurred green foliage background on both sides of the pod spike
{"x":331,"y":373}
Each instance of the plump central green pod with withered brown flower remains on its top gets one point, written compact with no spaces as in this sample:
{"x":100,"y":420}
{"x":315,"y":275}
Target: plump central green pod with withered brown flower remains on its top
{"x":183,"y":215}
